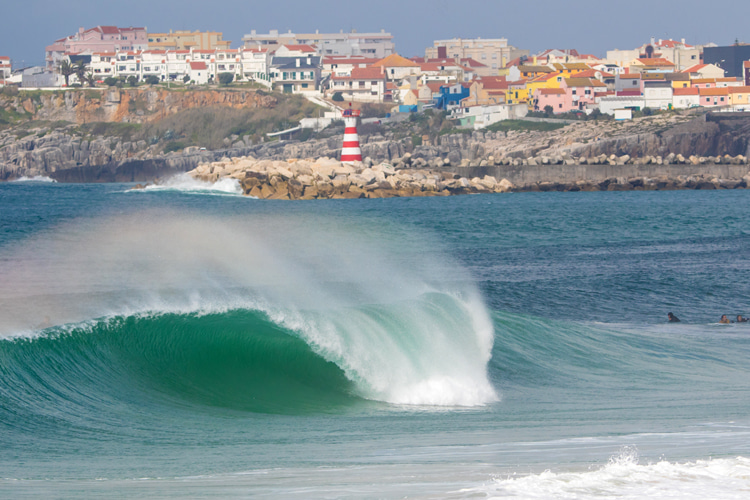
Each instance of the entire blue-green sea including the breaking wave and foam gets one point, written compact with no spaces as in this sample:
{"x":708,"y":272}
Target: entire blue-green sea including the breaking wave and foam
{"x":186,"y":341}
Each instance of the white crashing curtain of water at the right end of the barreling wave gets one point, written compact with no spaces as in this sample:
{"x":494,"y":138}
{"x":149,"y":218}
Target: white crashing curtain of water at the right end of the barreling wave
{"x":430,"y":351}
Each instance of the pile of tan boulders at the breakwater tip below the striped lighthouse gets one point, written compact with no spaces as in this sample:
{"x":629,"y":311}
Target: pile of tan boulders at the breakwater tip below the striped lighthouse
{"x":326,"y":178}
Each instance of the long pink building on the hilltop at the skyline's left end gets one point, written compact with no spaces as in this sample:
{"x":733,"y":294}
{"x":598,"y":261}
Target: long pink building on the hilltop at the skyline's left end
{"x":99,"y":39}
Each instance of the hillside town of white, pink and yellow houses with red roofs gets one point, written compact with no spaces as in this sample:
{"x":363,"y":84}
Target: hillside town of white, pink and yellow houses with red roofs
{"x":477,"y":81}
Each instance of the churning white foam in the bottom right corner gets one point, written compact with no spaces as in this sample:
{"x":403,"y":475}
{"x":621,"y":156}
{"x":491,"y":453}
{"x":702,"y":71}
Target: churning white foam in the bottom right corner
{"x":625,"y":478}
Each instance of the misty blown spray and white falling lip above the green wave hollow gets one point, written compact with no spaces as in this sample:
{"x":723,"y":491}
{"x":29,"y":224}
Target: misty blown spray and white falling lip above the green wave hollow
{"x":406,"y":327}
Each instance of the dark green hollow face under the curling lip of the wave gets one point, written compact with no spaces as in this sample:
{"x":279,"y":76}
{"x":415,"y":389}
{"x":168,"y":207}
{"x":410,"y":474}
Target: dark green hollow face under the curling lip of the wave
{"x":237,"y":360}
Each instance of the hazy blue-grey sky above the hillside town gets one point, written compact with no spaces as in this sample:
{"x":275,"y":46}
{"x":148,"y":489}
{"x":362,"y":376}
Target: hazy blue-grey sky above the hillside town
{"x":589,"y":26}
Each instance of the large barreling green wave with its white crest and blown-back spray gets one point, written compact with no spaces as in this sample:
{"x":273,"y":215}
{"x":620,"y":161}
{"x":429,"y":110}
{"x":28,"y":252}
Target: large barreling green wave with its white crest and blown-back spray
{"x":232,"y":314}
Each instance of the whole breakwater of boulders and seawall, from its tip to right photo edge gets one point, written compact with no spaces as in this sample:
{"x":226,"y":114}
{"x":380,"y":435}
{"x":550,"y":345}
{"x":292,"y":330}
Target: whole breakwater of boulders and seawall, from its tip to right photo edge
{"x":327,"y":178}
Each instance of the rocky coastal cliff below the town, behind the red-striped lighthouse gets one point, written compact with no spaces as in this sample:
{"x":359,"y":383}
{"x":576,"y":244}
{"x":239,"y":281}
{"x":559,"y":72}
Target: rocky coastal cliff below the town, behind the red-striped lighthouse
{"x":140,"y":135}
